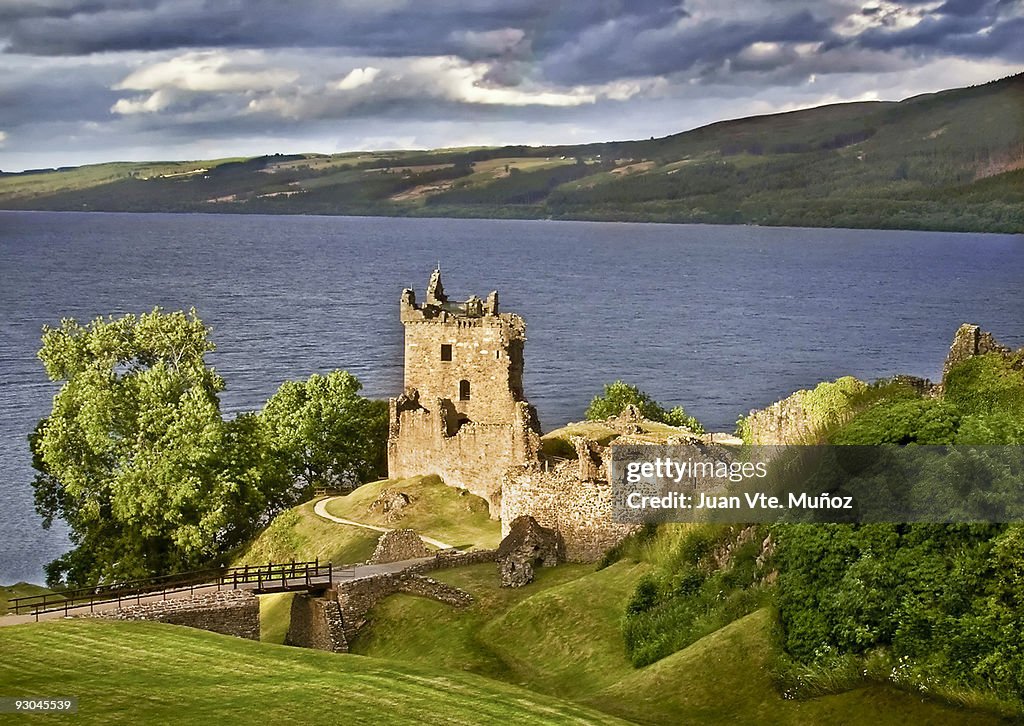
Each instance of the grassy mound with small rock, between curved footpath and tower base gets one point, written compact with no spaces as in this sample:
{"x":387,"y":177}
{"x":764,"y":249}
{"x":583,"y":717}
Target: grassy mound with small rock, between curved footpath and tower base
{"x":446,"y":514}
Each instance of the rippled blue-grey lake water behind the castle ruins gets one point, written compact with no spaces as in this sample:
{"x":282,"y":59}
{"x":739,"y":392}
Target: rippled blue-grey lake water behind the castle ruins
{"x":718,"y":319}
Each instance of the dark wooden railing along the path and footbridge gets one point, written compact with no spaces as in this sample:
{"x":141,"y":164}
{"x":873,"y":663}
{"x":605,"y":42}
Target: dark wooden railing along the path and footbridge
{"x":270,"y":578}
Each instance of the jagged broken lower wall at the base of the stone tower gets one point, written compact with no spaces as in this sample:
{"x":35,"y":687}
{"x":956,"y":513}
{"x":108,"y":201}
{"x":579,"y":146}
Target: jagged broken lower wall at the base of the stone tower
{"x":474,"y":459}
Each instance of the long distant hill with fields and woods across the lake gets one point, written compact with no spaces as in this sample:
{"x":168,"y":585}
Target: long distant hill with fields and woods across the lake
{"x":953,"y":160}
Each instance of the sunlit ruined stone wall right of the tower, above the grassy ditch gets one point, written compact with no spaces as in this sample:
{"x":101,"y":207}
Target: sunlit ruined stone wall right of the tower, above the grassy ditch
{"x":581,"y":510}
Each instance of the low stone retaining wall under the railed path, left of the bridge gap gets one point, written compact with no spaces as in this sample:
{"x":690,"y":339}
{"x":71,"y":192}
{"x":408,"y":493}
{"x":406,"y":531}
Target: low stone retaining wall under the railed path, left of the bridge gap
{"x":228,"y":612}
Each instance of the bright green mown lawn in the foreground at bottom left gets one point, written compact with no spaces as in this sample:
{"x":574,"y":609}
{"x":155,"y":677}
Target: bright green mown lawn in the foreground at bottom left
{"x":147,"y":673}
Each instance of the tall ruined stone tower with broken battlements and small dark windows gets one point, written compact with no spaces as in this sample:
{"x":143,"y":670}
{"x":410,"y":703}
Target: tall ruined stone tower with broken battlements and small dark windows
{"x":463,"y":415}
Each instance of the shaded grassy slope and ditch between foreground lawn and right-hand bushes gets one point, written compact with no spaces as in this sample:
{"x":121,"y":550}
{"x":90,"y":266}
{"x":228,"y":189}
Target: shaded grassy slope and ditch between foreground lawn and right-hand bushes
{"x":561,"y":636}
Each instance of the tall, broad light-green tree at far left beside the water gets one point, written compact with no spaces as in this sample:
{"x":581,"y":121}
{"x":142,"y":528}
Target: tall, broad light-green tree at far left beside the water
{"x":136,"y":456}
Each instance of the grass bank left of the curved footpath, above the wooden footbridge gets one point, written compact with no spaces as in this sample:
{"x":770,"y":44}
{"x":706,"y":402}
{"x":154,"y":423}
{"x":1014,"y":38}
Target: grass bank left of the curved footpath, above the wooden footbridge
{"x":301,"y":535}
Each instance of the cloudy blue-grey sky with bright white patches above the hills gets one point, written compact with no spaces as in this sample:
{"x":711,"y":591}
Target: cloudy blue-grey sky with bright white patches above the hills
{"x":88,"y":81}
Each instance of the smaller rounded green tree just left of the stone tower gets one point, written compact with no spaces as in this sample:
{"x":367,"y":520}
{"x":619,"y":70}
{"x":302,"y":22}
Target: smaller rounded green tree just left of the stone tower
{"x":327,"y":435}
